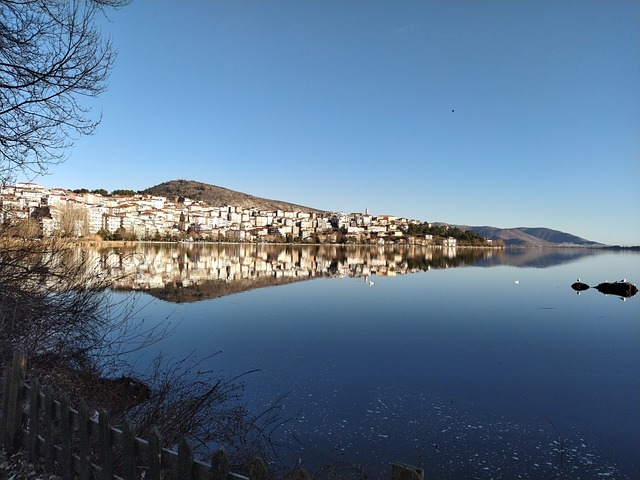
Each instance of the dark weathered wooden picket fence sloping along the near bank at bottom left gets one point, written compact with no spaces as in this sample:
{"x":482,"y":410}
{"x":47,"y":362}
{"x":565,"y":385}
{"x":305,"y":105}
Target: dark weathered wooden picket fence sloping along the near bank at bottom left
{"x":84,"y":447}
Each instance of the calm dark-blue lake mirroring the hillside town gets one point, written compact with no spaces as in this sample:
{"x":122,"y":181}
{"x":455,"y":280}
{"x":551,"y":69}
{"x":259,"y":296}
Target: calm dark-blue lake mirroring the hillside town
{"x":467,"y":363}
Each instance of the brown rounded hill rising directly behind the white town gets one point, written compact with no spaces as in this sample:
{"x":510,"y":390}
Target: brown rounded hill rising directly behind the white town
{"x":219,"y":196}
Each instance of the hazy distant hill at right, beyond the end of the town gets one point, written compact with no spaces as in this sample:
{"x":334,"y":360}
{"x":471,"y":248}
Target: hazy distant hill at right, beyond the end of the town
{"x":531,"y":236}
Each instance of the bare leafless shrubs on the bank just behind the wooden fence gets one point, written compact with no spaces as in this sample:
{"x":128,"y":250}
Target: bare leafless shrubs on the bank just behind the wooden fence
{"x":53,"y":306}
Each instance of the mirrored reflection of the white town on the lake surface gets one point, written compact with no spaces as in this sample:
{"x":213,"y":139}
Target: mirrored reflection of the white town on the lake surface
{"x":190,"y":272}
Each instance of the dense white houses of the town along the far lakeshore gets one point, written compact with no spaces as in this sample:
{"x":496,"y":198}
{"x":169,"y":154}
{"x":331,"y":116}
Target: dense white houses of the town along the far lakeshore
{"x":61,"y":212}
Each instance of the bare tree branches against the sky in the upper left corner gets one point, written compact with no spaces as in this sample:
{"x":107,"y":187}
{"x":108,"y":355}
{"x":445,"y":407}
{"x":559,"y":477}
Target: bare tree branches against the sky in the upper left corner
{"x":51,"y":56}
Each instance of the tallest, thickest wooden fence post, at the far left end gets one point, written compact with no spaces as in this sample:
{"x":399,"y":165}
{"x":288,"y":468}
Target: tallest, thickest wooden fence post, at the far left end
{"x":13,"y":402}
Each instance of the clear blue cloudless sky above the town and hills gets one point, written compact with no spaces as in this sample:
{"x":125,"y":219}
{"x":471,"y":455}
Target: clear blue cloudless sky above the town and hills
{"x":502,"y":113}
